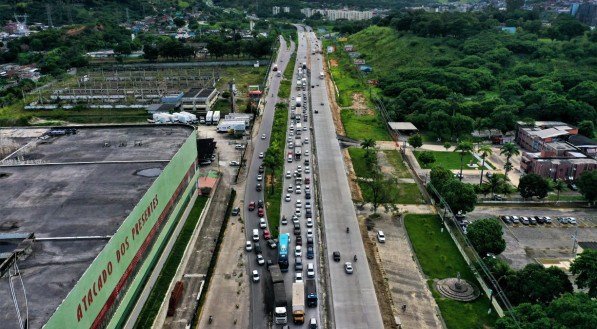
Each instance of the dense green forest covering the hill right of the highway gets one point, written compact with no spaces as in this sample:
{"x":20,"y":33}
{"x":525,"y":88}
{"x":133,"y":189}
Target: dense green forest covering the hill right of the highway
{"x":451,"y":73}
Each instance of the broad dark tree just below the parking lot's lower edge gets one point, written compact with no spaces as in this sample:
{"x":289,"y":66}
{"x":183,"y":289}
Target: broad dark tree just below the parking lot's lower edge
{"x":536,"y":284}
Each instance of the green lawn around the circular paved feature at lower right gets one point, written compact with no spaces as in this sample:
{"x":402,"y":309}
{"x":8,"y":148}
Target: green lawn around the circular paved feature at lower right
{"x":440,"y":259}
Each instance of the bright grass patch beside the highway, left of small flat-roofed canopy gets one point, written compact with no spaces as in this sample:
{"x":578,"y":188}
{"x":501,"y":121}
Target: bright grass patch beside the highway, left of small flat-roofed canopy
{"x":361,"y":127}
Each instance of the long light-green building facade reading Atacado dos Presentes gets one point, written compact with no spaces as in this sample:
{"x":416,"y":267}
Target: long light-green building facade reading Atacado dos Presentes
{"x":100,"y":290}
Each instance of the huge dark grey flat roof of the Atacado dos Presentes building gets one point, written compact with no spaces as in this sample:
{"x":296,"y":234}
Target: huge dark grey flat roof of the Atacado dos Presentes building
{"x":74,"y":186}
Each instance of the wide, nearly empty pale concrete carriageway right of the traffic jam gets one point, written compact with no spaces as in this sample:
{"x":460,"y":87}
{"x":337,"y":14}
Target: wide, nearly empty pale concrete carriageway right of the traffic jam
{"x":353,"y":300}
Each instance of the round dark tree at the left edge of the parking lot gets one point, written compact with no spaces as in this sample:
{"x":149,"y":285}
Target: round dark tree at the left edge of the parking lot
{"x":486,"y":236}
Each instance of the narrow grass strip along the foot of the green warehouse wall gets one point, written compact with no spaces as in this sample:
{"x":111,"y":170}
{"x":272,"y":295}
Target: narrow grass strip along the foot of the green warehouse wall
{"x":158,"y":293}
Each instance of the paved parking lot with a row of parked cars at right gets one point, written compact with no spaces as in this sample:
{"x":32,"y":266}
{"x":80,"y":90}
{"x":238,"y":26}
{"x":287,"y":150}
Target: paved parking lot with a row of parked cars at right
{"x":535,"y":242}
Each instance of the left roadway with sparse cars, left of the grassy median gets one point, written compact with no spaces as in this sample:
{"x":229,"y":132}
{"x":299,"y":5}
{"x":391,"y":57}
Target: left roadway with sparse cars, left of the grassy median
{"x":258,"y":309}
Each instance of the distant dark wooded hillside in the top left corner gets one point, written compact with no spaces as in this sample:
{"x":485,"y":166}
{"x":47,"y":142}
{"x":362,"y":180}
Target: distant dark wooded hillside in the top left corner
{"x":86,"y":11}
